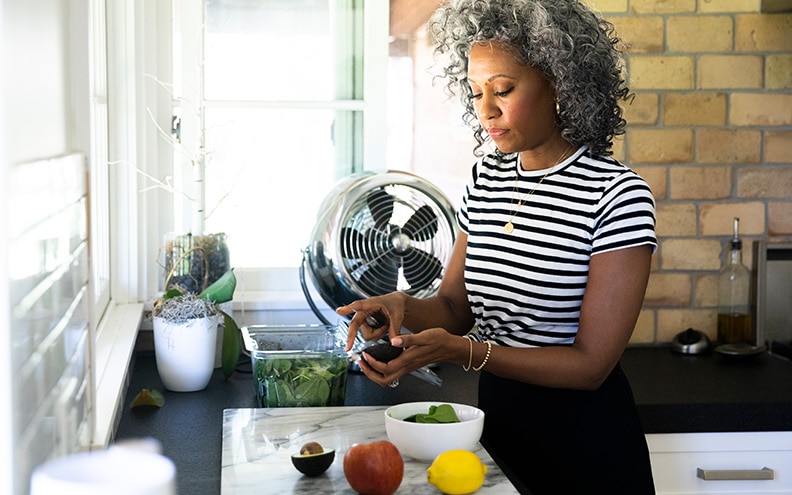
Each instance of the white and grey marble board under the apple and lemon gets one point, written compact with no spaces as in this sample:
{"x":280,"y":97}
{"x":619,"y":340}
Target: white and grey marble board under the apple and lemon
{"x":258,"y":444}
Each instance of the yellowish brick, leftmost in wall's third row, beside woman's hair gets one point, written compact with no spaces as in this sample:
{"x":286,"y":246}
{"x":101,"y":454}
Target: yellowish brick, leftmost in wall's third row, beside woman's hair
{"x":661,"y":72}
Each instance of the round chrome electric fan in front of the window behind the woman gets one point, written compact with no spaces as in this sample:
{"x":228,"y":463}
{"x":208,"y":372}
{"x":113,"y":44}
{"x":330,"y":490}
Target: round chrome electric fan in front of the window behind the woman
{"x":377,"y":233}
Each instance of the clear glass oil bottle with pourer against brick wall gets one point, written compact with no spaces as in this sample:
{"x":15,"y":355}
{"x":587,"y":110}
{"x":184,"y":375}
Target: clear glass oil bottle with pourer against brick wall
{"x":734,"y":309}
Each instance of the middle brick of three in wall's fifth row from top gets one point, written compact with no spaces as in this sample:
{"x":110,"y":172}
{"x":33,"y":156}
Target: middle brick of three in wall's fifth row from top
{"x":728,"y":146}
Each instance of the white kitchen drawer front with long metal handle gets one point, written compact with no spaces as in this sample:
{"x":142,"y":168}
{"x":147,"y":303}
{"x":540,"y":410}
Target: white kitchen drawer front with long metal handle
{"x":734,"y":463}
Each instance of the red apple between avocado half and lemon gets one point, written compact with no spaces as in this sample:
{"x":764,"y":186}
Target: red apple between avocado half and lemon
{"x":374,"y":468}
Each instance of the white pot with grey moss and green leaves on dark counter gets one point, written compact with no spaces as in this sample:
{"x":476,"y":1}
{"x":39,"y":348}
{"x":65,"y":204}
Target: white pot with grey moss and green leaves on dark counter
{"x":185,"y":335}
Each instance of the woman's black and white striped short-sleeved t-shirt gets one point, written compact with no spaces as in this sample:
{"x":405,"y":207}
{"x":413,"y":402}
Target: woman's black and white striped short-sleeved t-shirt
{"x":526,"y":288}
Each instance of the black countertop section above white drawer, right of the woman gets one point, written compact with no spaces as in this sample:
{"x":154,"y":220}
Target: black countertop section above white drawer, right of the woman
{"x":709,"y":393}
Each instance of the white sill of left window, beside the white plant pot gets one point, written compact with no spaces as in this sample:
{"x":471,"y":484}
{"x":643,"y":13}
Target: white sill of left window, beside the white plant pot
{"x":114,"y":345}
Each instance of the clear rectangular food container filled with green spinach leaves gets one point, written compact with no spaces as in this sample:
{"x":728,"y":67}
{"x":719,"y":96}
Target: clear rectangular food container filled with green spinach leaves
{"x":298,"y":365}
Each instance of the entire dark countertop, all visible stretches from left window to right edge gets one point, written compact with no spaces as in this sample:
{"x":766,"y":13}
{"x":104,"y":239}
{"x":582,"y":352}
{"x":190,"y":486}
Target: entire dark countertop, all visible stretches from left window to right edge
{"x":674,"y":394}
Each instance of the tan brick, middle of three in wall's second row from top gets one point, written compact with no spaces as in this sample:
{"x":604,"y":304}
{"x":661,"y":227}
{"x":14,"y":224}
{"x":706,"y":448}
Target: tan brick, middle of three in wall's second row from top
{"x":699,"y":33}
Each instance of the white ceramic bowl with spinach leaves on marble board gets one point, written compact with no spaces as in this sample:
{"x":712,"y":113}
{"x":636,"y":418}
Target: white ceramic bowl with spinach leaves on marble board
{"x":424,"y":442}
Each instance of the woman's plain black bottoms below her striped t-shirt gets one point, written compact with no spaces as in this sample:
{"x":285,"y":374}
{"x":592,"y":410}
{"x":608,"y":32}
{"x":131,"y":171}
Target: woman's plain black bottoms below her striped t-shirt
{"x":560,"y":441}
